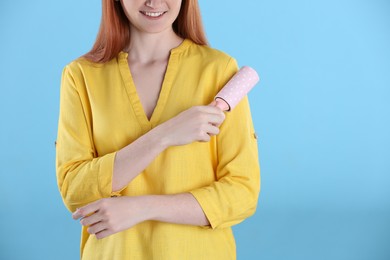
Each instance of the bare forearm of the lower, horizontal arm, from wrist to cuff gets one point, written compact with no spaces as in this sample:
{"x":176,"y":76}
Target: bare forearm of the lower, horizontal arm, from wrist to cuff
{"x":180,"y":208}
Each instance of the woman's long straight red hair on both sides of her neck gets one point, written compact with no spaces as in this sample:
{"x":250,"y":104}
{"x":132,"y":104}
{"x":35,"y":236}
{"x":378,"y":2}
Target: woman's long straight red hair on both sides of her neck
{"x":114,"y":32}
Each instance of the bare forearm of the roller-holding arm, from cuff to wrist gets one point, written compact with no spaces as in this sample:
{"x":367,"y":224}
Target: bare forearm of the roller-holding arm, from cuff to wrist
{"x":131,"y":160}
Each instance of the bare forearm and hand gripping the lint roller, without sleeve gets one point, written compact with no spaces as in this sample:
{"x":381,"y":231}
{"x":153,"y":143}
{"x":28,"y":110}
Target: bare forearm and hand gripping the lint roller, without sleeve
{"x":195,"y":124}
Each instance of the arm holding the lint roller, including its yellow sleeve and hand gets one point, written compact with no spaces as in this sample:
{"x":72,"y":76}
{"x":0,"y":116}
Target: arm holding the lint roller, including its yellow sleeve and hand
{"x":83,"y":176}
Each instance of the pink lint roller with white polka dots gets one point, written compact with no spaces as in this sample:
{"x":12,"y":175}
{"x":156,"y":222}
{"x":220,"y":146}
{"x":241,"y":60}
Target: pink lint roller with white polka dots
{"x":237,"y":88}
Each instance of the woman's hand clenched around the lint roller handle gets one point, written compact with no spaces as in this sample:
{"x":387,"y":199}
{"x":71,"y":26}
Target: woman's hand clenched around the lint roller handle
{"x":197,"y":123}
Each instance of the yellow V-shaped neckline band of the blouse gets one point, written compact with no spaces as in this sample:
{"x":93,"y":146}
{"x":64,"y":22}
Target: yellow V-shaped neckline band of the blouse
{"x":164,"y":91}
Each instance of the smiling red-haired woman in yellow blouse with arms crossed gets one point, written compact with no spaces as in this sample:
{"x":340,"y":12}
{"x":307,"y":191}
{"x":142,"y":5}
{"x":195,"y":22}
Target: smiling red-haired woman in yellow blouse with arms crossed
{"x":152,"y":171}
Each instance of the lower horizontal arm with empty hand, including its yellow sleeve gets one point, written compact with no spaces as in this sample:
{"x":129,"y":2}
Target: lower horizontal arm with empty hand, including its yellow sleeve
{"x":227,"y":201}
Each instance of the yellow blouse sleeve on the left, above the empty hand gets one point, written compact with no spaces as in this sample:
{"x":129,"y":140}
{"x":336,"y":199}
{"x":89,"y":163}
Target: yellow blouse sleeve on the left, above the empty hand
{"x":82,"y":176}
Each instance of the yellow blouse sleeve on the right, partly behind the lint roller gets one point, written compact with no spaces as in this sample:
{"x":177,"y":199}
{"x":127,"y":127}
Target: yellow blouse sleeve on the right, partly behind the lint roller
{"x":233,"y":196}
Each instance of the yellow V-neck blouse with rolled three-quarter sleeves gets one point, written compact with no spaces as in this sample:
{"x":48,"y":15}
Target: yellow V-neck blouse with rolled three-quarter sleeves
{"x":100,"y":113}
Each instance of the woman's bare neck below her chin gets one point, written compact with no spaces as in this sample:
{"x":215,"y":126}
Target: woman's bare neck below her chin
{"x":148,"y":47}
